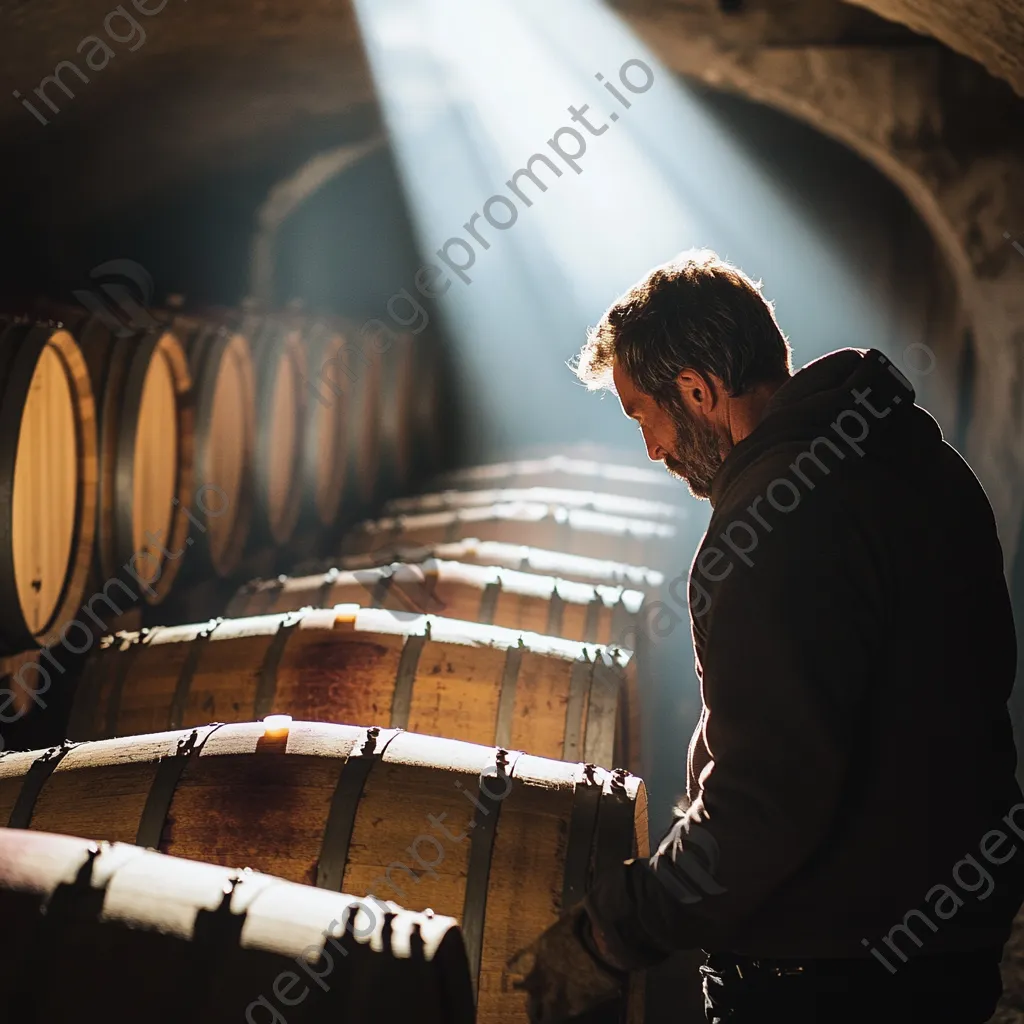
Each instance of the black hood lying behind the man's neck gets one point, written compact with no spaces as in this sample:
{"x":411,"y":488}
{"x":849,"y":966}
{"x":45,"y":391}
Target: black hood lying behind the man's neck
{"x":856,"y":399}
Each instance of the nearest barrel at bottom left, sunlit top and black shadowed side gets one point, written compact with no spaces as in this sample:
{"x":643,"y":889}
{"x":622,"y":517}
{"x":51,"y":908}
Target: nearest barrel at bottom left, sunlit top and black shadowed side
{"x":117,"y":933}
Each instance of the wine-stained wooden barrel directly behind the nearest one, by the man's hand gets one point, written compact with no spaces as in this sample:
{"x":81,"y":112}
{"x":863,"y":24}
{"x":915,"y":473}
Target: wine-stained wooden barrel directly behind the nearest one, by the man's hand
{"x":501,"y":841}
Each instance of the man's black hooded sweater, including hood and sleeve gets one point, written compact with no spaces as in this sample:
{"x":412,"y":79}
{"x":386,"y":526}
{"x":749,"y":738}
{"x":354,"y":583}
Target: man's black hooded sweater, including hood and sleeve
{"x":857,"y":651}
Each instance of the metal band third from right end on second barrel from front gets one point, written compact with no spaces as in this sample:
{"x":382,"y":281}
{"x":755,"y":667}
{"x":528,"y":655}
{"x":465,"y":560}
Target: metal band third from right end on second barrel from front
{"x":482,"y":847}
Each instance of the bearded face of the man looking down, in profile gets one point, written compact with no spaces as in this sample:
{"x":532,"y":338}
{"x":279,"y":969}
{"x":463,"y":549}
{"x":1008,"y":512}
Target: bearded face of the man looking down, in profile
{"x":690,"y":446}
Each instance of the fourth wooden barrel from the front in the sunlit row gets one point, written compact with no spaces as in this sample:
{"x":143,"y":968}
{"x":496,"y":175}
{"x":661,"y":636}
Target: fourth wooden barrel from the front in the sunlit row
{"x":477,"y":593}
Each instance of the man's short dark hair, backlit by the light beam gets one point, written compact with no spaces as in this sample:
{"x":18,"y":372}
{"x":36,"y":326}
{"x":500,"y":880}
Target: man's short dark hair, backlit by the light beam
{"x":697,"y":312}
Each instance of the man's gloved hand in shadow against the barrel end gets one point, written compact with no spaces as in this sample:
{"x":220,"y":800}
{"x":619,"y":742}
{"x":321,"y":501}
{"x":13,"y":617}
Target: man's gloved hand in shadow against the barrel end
{"x":562,"y":973}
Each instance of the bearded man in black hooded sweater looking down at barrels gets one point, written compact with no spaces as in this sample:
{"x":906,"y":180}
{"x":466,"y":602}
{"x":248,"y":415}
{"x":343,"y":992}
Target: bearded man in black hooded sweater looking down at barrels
{"x":848,"y":851}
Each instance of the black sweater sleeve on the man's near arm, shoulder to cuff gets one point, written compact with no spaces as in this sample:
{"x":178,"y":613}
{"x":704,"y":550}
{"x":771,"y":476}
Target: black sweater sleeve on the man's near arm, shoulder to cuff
{"x":787,"y":654}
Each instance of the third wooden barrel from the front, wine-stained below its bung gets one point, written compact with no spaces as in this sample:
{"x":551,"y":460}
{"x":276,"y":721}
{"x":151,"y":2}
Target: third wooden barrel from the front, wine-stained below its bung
{"x":446,"y":677}
